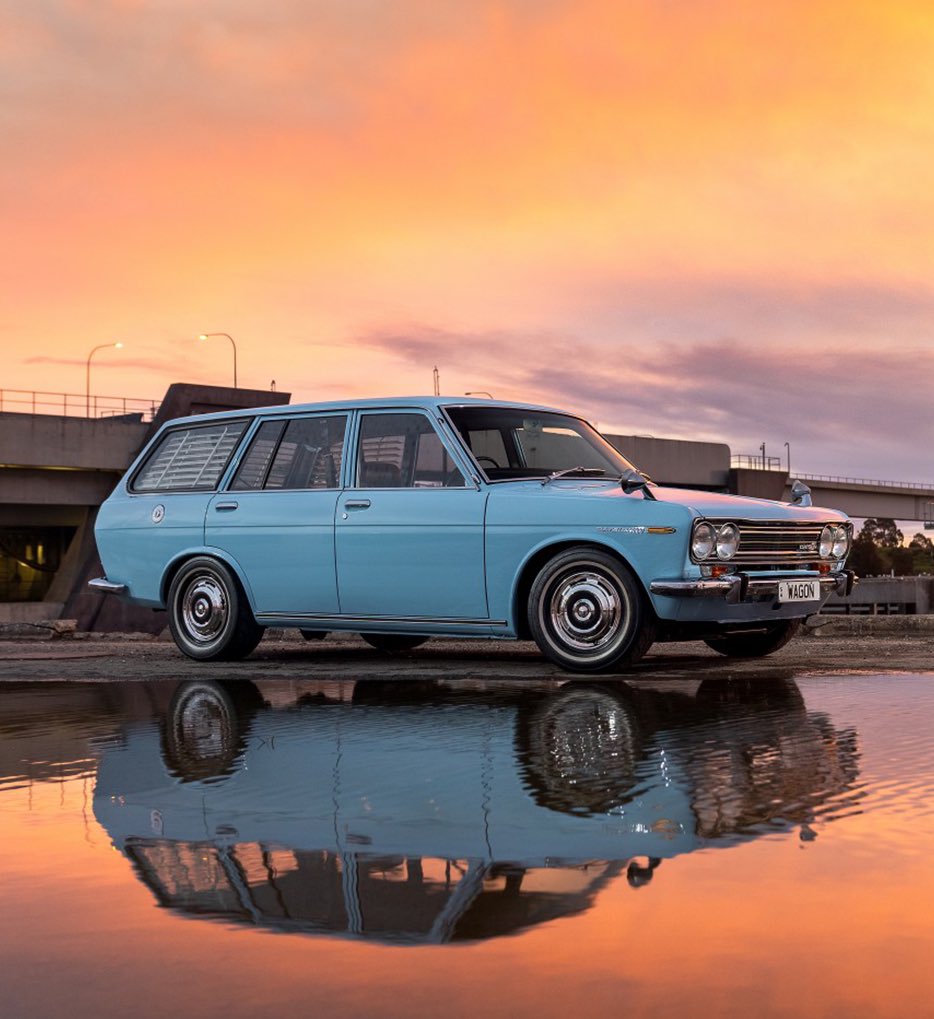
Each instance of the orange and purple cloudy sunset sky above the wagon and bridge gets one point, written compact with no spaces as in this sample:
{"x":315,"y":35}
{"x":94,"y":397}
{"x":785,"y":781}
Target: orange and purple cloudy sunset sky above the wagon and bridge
{"x":686,"y":219}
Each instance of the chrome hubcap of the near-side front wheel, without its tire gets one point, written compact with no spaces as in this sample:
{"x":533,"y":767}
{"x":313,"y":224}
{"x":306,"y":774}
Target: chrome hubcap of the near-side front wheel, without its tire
{"x":587,"y":611}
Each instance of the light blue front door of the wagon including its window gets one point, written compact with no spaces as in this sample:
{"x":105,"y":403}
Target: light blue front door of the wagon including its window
{"x":410,"y":534}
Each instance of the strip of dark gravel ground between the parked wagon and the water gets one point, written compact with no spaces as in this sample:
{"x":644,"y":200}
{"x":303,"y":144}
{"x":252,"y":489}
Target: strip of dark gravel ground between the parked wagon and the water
{"x":842,"y":646}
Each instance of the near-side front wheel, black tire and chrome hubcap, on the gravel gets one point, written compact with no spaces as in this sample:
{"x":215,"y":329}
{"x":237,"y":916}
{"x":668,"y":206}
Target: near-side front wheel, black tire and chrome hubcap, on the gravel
{"x":588,"y":613}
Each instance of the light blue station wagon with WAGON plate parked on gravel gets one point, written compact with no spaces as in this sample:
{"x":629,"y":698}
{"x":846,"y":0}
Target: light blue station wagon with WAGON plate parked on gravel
{"x":417,"y":517}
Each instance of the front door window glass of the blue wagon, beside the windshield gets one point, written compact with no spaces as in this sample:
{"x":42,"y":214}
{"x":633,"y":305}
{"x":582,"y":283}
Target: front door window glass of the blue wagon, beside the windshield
{"x":404,"y":451}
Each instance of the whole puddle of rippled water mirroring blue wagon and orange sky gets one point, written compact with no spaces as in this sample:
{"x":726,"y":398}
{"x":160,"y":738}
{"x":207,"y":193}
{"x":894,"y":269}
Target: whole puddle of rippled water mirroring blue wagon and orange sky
{"x":720,"y":849}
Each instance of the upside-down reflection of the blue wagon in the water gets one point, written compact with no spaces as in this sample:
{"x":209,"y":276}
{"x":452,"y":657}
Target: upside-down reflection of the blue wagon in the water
{"x":414,"y":813}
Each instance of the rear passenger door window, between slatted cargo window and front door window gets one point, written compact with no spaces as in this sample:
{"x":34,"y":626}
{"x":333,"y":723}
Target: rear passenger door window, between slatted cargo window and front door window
{"x":305,"y":453}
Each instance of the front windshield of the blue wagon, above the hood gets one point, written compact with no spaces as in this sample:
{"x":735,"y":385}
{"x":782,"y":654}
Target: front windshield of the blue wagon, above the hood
{"x":510,"y":444}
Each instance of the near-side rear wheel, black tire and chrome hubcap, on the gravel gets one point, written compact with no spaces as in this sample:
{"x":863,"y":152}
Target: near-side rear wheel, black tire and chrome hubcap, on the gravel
{"x":209,"y":617}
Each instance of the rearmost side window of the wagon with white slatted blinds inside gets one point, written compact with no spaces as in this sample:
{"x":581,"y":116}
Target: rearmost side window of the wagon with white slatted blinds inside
{"x":190,"y":459}
